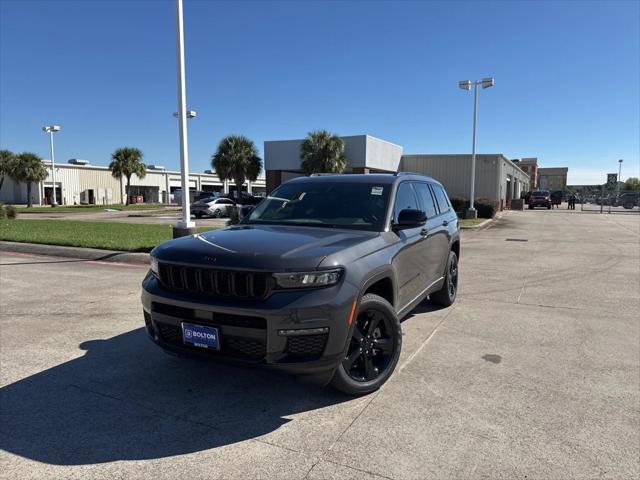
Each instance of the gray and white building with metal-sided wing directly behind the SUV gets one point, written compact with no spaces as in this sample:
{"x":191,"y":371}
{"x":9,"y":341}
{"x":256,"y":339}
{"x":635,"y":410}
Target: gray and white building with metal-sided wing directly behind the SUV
{"x":497,"y":177}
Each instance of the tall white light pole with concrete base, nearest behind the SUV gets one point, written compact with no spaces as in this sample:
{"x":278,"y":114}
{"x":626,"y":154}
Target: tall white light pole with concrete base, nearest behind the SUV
{"x":185,"y":226}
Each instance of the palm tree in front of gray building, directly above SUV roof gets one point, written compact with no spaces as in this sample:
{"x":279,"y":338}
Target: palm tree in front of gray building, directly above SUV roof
{"x":322,"y":152}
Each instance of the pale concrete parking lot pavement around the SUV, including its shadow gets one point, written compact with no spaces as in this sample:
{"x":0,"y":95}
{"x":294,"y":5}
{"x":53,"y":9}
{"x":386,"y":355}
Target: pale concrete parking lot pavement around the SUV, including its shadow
{"x":533,"y":373}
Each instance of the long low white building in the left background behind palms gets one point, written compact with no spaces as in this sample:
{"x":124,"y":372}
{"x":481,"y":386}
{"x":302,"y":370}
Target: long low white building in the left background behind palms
{"x":79,"y":182}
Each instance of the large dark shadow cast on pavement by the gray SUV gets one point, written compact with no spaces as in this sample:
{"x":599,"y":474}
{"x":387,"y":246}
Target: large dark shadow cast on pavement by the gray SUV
{"x":126,"y":400}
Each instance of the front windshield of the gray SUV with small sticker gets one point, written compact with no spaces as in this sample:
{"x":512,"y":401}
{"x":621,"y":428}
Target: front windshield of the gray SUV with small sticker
{"x":360,"y":206}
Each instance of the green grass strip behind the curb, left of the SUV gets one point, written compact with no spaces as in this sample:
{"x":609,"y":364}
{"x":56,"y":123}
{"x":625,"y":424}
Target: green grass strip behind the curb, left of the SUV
{"x":111,"y":236}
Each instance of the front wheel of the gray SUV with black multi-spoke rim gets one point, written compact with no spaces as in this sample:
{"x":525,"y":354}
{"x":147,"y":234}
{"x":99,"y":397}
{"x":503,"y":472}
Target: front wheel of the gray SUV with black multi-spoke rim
{"x":365,"y":367}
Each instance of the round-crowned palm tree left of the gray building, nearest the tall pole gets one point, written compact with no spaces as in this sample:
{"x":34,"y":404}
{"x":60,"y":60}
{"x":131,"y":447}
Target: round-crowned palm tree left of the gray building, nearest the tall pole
{"x":237,"y":159}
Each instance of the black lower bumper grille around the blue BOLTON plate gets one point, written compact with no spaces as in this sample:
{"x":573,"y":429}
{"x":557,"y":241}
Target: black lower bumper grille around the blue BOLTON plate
{"x":242,"y":348}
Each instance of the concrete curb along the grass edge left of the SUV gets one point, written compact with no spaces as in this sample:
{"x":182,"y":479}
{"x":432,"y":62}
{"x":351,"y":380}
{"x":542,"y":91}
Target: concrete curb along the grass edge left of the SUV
{"x":75,"y":252}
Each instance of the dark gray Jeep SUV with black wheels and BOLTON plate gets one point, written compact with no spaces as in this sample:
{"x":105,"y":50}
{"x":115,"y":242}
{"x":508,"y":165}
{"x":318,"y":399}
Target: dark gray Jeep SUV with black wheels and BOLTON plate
{"x":314,"y":280}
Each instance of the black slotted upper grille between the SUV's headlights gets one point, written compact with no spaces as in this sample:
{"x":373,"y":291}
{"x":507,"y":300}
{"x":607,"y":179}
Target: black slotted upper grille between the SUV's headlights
{"x":214,"y":282}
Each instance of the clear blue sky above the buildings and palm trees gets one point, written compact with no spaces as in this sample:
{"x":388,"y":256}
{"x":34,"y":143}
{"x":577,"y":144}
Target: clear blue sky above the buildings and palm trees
{"x":567,"y":77}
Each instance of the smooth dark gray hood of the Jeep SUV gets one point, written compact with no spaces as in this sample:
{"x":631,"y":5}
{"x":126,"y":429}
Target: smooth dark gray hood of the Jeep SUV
{"x":261,"y":247}
